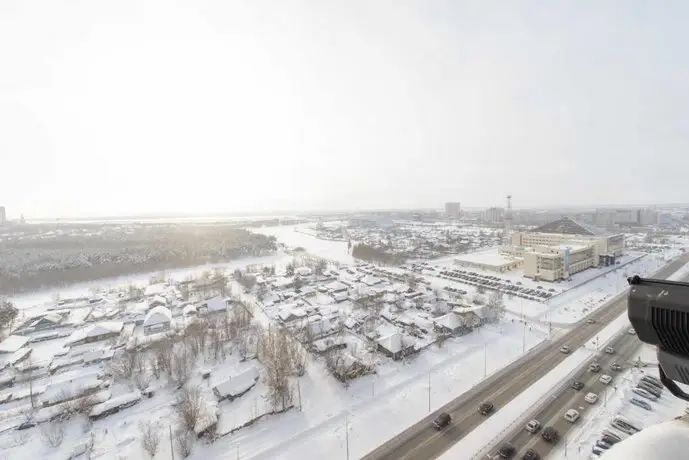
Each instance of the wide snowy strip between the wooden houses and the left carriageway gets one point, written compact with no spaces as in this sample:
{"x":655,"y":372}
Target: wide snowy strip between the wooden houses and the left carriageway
{"x":398,"y":394}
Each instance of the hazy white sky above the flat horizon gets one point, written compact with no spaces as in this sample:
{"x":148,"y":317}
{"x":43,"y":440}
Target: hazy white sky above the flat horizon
{"x":132,"y":106}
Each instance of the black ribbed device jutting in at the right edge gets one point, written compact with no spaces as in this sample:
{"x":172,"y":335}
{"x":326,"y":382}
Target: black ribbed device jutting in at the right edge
{"x":659,"y":313}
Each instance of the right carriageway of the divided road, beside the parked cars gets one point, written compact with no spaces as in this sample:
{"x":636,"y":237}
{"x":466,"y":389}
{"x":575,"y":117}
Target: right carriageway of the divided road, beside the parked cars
{"x":625,"y":346}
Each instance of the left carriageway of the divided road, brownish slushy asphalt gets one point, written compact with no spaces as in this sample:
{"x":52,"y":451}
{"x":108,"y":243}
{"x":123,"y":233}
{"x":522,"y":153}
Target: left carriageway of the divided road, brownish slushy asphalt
{"x":421,"y":441}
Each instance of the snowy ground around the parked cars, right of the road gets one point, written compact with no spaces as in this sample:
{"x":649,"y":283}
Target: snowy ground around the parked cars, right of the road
{"x":580,"y":441}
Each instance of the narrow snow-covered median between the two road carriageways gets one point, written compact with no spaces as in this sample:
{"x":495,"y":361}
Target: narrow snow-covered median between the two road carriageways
{"x":482,"y":438}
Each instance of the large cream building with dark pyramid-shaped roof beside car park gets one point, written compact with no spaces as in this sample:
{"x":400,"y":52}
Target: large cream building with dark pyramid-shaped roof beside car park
{"x":564,"y":247}
